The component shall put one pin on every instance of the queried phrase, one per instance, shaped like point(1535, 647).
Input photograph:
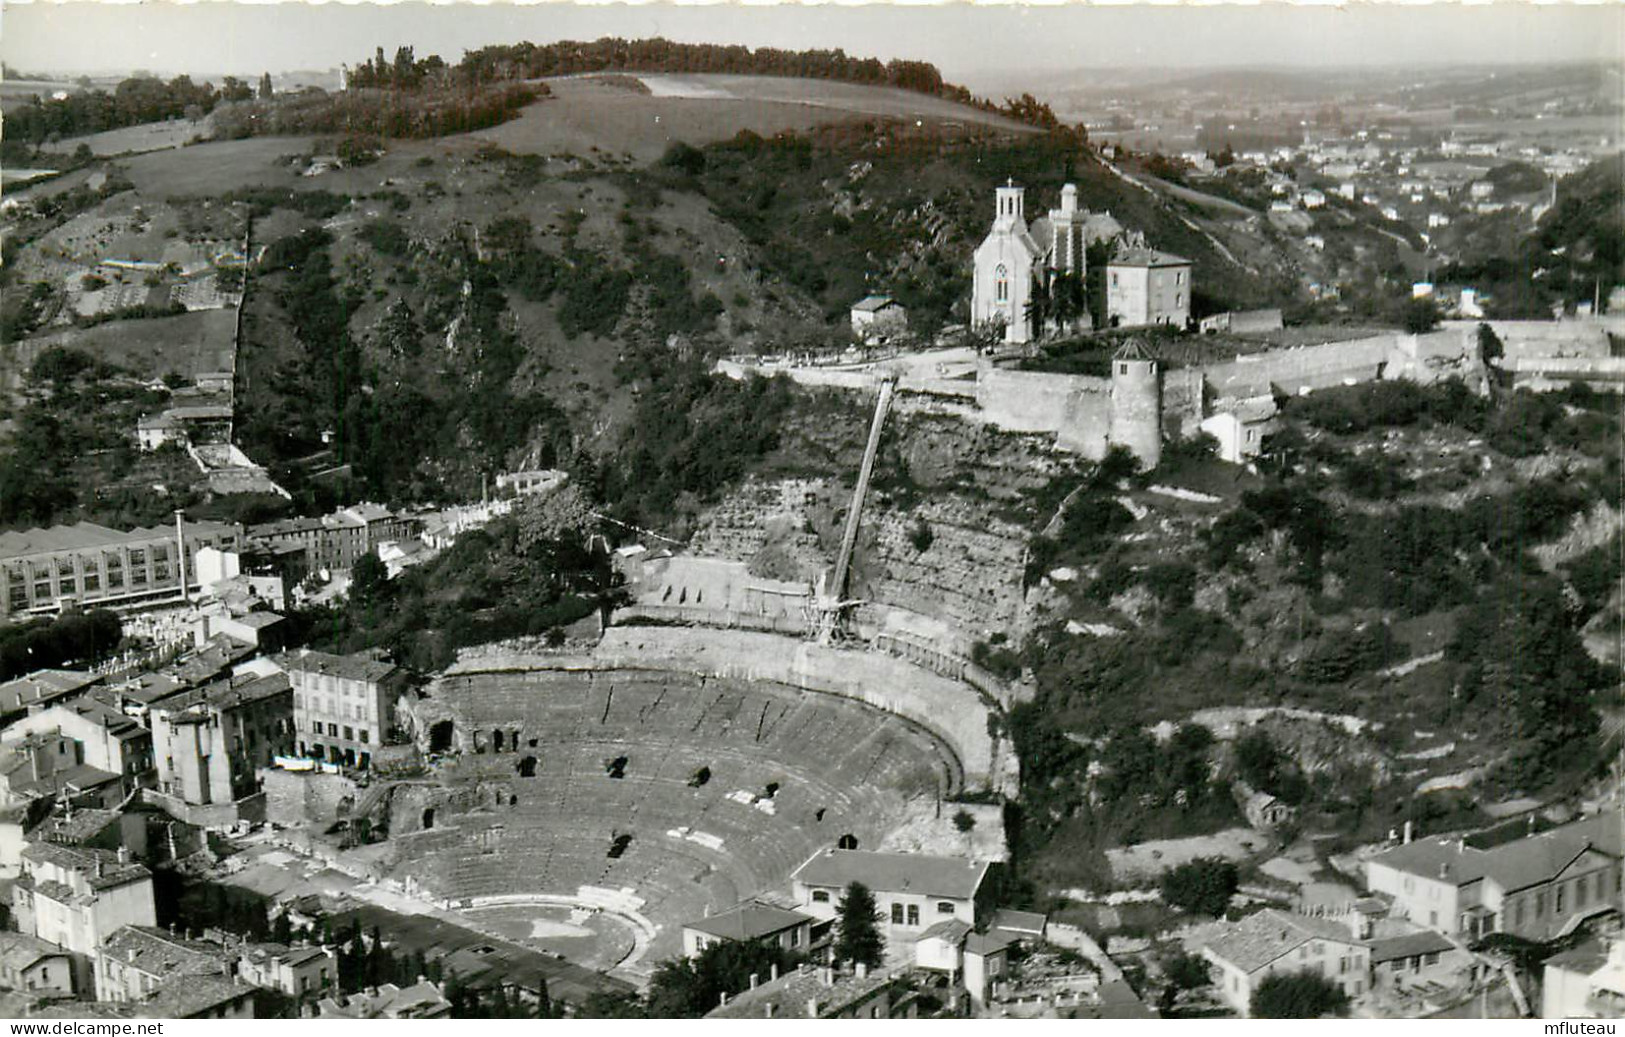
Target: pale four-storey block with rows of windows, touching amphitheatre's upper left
point(344, 705)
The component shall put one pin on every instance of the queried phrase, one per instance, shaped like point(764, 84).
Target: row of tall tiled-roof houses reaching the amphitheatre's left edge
point(193, 739)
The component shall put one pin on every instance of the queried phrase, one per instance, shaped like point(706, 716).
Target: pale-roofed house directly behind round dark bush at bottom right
point(1276, 944)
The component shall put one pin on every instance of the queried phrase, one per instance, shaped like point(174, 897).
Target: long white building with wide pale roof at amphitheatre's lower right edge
point(914, 892)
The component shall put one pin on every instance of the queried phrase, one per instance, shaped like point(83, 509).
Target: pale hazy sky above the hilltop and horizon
point(968, 43)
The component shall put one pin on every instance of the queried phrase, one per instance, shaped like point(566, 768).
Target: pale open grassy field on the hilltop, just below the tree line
point(592, 115)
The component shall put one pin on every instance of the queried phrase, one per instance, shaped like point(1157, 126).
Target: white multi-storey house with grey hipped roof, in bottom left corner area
point(79, 898)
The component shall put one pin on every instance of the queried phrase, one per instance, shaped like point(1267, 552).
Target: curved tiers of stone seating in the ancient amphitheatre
point(841, 770)
